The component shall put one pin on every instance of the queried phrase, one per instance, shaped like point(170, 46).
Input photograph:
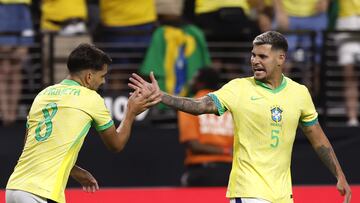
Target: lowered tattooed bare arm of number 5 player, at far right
point(324, 150)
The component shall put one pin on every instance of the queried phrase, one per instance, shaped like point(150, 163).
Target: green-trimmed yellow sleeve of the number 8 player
point(100, 114)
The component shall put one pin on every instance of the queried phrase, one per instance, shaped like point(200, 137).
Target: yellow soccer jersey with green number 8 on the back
point(58, 122)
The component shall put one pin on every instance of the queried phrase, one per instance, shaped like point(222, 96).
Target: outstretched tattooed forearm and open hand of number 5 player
point(190, 105)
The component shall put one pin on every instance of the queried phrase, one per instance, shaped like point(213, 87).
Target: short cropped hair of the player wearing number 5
point(275, 39)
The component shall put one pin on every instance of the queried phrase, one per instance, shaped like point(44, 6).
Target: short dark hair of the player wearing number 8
point(87, 56)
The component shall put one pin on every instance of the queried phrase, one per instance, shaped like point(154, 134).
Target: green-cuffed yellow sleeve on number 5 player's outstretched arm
point(225, 97)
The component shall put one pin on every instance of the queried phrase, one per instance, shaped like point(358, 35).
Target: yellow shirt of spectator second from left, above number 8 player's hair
point(61, 10)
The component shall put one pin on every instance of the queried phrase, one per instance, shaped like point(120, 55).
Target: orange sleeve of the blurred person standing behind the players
point(188, 127)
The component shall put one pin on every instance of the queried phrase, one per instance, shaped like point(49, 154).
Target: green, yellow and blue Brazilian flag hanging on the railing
point(174, 55)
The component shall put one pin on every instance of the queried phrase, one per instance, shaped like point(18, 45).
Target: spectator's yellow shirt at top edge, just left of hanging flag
point(127, 13)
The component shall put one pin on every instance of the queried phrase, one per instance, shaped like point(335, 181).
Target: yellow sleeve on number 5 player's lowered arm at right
point(309, 116)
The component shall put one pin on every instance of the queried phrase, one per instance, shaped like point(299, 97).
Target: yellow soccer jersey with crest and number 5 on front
point(265, 123)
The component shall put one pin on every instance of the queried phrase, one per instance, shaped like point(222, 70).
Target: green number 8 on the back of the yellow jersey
point(49, 112)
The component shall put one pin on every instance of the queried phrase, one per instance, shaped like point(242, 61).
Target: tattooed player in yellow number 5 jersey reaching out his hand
point(266, 110)
